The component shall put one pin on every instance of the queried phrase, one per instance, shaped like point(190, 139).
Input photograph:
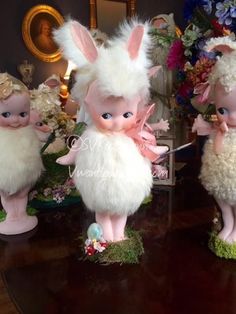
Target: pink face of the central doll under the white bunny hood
point(114, 114)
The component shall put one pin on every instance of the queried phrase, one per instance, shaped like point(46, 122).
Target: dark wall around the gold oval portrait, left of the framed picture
point(13, 49)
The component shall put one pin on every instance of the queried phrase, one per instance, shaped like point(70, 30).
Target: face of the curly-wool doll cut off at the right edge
point(225, 105)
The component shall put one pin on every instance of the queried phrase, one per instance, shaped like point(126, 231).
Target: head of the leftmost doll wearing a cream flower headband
point(14, 102)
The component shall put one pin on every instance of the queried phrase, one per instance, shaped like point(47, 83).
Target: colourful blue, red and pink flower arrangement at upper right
point(205, 19)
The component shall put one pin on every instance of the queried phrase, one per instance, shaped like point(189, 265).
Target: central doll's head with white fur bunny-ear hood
point(119, 70)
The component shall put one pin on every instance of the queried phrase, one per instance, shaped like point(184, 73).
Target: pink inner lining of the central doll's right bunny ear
point(135, 41)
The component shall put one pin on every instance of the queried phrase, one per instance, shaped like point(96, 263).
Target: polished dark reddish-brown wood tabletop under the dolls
point(43, 272)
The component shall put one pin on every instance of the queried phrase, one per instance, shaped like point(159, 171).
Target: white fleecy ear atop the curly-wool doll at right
point(221, 44)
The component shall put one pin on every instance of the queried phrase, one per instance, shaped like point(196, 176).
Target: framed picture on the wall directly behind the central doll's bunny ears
point(106, 14)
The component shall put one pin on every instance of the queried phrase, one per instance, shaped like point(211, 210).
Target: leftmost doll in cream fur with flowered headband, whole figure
point(21, 164)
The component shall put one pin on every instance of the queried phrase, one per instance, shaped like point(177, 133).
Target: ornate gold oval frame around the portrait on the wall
point(26, 31)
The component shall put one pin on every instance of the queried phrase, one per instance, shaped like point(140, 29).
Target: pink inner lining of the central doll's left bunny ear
point(84, 41)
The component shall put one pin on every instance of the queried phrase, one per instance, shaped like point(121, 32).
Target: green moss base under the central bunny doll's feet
point(123, 252)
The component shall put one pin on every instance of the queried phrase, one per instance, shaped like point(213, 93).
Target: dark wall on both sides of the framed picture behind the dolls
point(14, 51)
